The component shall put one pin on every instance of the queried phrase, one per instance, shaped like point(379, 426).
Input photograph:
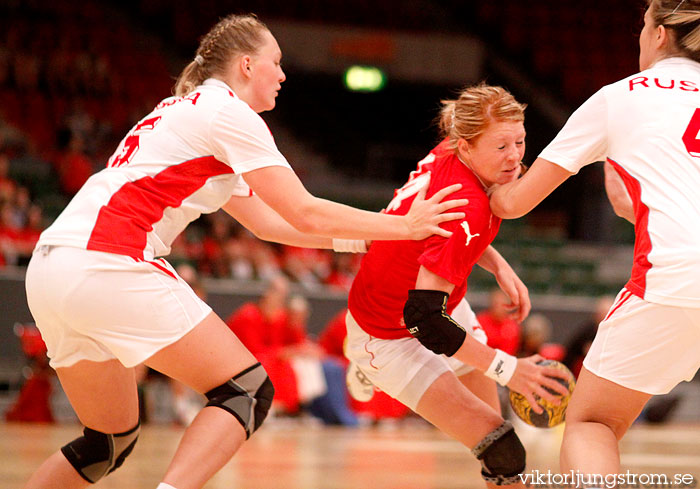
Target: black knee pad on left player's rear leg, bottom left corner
point(96, 454)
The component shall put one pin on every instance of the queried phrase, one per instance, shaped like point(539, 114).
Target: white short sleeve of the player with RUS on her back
point(584, 137)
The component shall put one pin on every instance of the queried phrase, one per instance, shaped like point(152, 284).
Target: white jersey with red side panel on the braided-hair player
point(184, 159)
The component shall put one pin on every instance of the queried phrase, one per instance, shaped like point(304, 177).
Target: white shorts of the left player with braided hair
point(97, 306)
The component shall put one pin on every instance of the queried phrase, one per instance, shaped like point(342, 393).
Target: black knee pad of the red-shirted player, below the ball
point(502, 456)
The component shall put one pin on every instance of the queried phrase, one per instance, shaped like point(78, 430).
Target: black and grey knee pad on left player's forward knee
point(247, 396)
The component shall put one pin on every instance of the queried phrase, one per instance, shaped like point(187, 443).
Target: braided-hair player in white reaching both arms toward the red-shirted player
point(104, 300)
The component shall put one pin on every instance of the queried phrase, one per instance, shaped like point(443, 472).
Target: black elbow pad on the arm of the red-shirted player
point(427, 320)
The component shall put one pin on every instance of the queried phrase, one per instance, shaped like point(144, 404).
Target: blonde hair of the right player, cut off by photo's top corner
point(682, 18)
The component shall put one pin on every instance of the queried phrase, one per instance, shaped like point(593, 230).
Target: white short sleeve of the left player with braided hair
point(240, 137)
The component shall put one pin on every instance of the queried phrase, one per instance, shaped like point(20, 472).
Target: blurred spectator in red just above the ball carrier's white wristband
point(502, 331)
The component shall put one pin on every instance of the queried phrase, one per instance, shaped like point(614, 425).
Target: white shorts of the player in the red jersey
point(403, 368)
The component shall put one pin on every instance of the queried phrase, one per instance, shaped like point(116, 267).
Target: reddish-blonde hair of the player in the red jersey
point(468, 116)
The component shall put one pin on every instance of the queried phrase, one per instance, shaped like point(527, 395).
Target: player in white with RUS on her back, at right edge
point(646, 126)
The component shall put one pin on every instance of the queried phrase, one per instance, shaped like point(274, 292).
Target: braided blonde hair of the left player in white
point(231, 36)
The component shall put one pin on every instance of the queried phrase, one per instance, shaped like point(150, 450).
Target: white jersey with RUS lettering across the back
point(647, 127)
